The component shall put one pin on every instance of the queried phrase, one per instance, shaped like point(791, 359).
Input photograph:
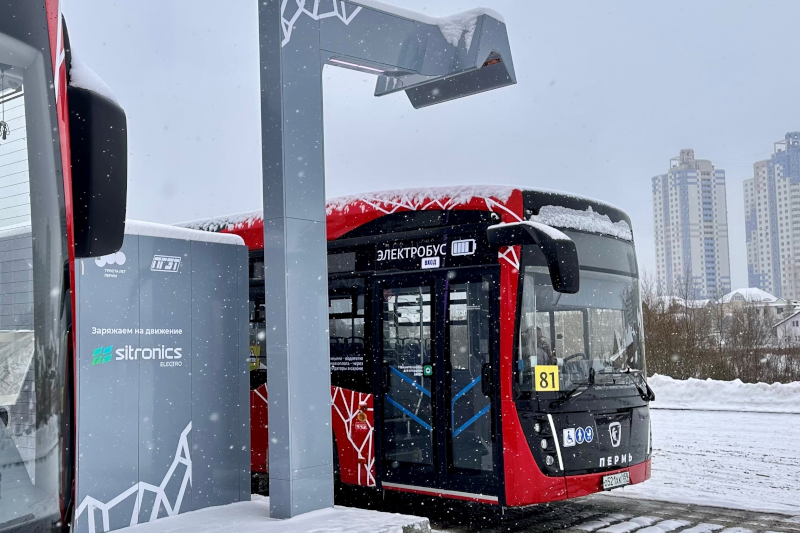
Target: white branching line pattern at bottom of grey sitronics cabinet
point(182, 456)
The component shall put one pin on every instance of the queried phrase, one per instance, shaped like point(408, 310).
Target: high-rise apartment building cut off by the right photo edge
point(772, 220)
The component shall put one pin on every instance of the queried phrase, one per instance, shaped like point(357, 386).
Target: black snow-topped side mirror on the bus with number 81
point(560, 251)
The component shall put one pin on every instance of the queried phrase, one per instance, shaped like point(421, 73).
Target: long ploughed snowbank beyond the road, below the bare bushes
point(713, 395)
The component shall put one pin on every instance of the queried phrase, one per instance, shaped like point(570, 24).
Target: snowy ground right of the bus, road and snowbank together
point(726, 444)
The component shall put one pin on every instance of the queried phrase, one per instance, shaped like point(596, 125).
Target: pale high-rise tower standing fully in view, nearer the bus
point(691, 229)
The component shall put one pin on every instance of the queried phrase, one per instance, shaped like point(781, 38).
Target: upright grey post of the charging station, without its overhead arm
point(296, 275)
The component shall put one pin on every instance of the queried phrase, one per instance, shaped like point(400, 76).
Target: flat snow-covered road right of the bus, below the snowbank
point(728, 459)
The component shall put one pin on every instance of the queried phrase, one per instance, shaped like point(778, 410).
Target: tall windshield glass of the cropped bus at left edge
point(32, 341)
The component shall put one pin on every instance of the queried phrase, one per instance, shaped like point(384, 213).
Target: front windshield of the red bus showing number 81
point(593, 336)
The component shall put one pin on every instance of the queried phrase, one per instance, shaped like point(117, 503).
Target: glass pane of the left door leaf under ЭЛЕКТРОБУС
point(407, 376)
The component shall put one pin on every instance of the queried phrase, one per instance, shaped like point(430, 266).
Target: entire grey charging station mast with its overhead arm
point(433, 63)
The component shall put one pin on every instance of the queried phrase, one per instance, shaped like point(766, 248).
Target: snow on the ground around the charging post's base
point(254, 516)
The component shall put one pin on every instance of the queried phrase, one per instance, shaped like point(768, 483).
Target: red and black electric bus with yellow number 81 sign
point(485, 344)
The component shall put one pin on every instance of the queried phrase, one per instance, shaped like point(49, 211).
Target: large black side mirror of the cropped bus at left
point(99, 153)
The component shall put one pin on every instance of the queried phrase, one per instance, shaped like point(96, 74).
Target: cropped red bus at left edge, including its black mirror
point(63, 180)
